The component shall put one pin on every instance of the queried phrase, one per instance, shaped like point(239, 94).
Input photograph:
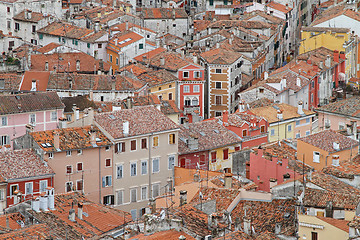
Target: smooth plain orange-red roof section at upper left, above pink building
point(41, 77)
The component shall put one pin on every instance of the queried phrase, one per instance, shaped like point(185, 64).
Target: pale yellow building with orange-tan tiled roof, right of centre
point(285, 122)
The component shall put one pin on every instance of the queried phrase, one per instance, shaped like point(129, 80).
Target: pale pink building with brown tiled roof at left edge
point(40, 109)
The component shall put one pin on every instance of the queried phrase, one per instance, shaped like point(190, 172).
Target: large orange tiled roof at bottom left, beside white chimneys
point(99, 219)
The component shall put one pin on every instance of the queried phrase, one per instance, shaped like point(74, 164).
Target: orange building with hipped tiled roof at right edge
point(325, 148)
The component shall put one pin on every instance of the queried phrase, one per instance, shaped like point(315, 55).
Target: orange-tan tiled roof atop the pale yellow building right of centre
point(270, 112)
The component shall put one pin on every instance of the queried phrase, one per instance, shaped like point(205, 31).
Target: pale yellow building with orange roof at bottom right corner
point(314, 227)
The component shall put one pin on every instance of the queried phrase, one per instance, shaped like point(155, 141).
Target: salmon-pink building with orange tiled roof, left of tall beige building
point(81, 158)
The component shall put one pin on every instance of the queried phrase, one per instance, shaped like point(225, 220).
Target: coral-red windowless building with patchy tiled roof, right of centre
point(274, 164)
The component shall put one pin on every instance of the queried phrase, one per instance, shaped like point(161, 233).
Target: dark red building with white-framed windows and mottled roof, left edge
point(25, 174)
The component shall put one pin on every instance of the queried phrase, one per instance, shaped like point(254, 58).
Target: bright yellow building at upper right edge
point(339, 39)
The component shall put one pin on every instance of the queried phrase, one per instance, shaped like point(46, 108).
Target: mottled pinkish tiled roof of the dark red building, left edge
point(22, 164)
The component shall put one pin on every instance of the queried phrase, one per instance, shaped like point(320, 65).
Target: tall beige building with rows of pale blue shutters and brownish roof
point(145, 152)
